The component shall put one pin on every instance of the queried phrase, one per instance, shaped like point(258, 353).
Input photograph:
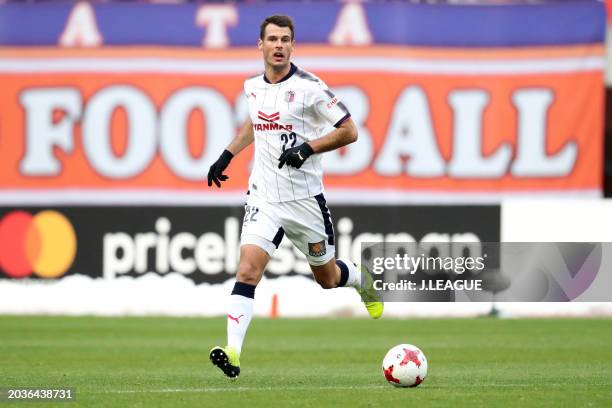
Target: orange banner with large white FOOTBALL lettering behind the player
point(143, 124)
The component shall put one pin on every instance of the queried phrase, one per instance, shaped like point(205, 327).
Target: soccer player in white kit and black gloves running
point(288, 110)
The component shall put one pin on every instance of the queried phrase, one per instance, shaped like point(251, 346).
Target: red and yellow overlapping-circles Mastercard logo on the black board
point(44, 244)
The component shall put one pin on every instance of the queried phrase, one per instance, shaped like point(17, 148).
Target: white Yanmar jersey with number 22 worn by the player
point(286, 114)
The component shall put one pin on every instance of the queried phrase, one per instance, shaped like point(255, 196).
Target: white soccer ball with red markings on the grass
point(405, 365)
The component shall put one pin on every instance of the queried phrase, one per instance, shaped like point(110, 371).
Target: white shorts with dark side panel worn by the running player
point(306, 222)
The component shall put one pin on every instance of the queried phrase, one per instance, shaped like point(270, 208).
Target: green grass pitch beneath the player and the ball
point(163, 362)
